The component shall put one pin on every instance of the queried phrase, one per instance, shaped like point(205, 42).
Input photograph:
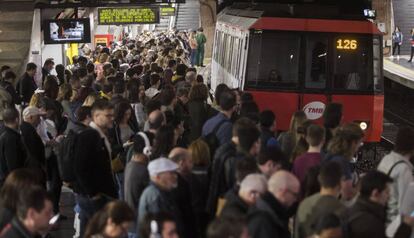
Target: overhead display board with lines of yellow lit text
point(132, 15)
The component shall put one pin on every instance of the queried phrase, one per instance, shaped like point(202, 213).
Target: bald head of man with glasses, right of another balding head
point(285, 187)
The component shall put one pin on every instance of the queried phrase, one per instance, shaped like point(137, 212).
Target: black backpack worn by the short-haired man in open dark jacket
point(66, 155)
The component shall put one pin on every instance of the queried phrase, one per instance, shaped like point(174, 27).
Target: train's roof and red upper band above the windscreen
point(256, 16)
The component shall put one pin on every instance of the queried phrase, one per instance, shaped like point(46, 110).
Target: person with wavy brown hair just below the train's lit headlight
point(342, 148)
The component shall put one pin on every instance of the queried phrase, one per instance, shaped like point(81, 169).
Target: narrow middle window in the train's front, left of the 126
point(316, 61)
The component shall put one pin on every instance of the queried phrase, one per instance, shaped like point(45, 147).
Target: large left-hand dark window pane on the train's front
point(279, 60)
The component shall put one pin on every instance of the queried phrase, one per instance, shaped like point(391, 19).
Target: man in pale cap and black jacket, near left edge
point(32, 141)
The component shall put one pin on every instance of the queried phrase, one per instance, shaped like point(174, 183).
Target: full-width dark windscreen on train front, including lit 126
point(318, 61)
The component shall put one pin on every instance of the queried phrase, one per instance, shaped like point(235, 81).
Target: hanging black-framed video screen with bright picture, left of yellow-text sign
point(62, 31)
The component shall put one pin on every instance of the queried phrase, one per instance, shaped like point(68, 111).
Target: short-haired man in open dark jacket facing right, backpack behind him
point(94, 178)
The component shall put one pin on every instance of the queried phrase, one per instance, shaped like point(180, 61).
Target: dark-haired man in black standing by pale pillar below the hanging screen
point(27, 85)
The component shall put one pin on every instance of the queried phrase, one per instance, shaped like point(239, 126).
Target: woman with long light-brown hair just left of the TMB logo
point(288, 140)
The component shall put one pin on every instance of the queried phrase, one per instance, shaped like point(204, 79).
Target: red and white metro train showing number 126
point(302, 57)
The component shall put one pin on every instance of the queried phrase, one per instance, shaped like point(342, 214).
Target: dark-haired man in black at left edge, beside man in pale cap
point(12, 153)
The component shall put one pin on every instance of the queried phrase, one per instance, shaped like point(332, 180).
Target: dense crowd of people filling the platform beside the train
point(148, 152)
